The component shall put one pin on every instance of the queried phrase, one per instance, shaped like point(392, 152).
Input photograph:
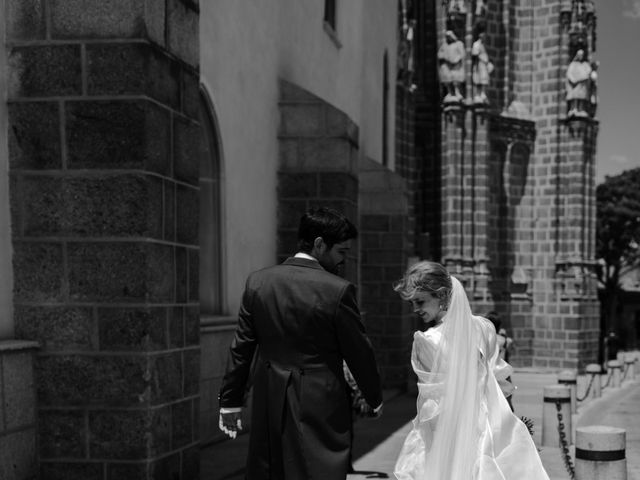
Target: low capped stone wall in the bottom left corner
point(18, 456)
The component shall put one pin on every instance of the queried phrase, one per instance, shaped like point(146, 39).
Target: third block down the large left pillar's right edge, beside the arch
point(187, 150)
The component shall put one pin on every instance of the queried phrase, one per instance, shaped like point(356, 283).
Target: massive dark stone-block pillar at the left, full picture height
point(104, 155)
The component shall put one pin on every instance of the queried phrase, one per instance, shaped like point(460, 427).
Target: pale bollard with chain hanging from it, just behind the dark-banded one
point(556, 412)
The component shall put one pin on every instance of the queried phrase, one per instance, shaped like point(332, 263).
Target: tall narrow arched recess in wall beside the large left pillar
point(211, 266)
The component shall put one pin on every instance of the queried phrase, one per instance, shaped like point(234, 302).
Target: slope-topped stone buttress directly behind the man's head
point(318, 165)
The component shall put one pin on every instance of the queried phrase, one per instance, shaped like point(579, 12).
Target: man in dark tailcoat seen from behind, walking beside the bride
point(301, 320)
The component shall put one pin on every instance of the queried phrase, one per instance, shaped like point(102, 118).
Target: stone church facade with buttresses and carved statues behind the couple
point(156, 152)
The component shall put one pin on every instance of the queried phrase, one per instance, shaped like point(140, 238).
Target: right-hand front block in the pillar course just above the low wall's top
point(132, 329)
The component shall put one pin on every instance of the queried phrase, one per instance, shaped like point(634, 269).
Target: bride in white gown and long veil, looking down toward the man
point(464, 428)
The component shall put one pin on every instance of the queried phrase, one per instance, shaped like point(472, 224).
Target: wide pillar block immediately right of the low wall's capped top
point(85, 380)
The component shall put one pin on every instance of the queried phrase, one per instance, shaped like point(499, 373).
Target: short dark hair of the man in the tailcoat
point(332, 226)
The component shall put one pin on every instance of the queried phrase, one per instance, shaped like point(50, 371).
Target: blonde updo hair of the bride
point(428, 277)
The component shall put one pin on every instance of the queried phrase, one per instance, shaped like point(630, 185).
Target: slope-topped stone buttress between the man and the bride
point(385, 246)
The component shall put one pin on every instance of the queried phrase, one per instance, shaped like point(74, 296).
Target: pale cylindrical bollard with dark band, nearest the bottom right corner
point(600, 453)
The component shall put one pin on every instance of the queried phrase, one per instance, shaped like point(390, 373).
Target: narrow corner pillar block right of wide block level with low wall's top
point(167, 373)
